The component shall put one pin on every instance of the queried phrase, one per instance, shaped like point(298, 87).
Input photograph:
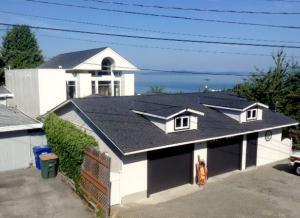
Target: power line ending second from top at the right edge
point(193, 9)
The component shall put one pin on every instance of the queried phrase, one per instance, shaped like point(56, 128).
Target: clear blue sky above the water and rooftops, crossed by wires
point(161, 58)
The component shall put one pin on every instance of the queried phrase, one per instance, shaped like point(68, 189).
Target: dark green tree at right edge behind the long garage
point(279, 88)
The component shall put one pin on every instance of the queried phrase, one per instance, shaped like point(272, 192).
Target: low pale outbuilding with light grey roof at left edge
point(18, 134)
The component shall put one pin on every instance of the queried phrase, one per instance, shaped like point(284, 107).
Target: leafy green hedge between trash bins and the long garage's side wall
point(68, 142)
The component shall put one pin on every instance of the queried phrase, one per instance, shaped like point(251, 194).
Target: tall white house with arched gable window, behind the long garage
point(99, 71)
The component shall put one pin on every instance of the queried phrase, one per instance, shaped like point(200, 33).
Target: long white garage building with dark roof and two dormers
point(154, 140)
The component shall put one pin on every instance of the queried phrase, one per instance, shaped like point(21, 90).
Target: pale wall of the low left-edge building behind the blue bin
point(16, 149)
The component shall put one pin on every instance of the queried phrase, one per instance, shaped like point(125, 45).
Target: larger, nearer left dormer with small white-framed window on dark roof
point(168, 118)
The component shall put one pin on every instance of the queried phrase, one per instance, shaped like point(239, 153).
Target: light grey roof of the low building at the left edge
point(13, 117)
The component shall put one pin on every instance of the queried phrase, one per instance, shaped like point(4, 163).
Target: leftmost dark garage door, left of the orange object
point(169, 168)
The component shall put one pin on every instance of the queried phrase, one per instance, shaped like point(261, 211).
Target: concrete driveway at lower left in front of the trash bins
point(23, 193)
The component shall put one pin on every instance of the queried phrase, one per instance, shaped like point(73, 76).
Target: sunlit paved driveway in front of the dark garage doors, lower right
point(268, 191)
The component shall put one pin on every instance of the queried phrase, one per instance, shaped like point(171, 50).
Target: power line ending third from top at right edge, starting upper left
point(165, 16)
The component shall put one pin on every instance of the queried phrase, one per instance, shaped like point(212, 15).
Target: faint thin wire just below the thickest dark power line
point(161, 48)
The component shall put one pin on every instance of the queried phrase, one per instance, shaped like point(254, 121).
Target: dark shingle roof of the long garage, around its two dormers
point(132, 133)
